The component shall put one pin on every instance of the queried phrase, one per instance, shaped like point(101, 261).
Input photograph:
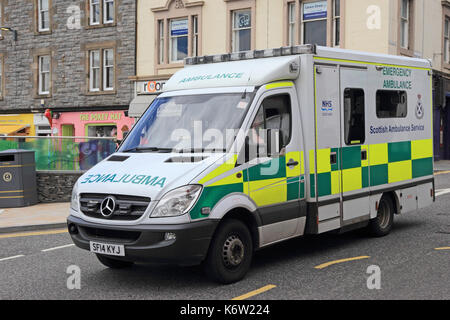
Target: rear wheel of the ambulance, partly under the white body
point(382, 224)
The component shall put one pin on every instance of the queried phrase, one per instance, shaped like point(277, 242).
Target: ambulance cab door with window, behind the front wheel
point(275, 173)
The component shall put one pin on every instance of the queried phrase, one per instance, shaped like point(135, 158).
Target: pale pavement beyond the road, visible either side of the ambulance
point(53, 216)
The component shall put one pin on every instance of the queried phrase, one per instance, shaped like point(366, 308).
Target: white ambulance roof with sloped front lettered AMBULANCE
point(259, 67)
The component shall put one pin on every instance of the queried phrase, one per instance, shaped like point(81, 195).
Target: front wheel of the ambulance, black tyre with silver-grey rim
point(230, 253)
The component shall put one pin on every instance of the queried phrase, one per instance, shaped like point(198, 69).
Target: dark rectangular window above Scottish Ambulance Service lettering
point(392, 104)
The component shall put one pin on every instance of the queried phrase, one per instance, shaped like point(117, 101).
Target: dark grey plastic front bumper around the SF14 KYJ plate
point(146, 243)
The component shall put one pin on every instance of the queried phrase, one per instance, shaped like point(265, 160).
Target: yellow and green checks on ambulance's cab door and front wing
point(266, 183)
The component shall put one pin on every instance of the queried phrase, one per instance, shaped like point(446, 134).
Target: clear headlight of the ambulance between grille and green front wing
point(177, 202)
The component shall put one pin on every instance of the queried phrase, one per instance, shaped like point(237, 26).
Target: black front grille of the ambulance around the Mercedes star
point(127, 208)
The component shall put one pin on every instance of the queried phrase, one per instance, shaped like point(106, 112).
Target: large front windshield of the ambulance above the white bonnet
point(190, 123)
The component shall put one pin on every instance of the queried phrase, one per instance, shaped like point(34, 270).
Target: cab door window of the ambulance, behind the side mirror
point(274, 115)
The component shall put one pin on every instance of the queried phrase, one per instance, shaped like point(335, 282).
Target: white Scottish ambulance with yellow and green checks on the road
point(244, 150)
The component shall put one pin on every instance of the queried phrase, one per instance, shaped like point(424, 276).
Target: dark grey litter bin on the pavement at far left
point(17, 179)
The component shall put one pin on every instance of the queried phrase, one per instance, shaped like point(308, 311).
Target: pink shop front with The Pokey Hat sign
point(92, 124)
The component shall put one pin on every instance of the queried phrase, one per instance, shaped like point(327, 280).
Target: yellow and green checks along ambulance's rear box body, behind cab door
point(385, 163)
